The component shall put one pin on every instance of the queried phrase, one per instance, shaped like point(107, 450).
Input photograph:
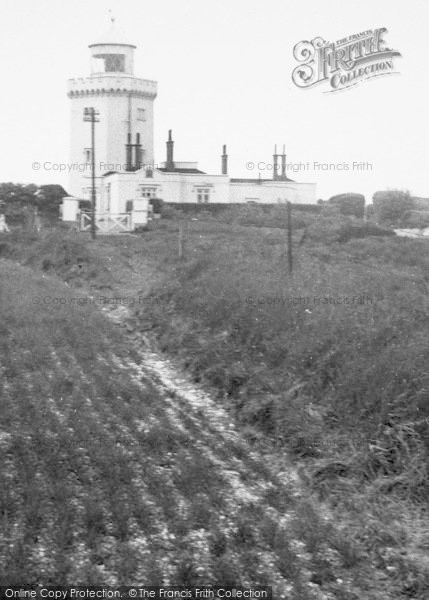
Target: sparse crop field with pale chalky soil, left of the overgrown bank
point(106, 480)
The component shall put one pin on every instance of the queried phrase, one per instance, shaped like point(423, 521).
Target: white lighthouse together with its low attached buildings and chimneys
point(125, 173)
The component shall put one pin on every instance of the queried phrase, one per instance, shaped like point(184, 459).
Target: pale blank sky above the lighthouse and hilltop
point(224, 73)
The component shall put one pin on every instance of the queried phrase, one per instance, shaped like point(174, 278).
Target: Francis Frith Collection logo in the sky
point(344, 63)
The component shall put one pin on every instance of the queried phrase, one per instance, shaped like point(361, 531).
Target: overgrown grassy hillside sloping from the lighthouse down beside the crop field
point(330, 364)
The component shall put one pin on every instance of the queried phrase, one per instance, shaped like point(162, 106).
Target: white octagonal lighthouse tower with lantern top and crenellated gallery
point(124, 103)
